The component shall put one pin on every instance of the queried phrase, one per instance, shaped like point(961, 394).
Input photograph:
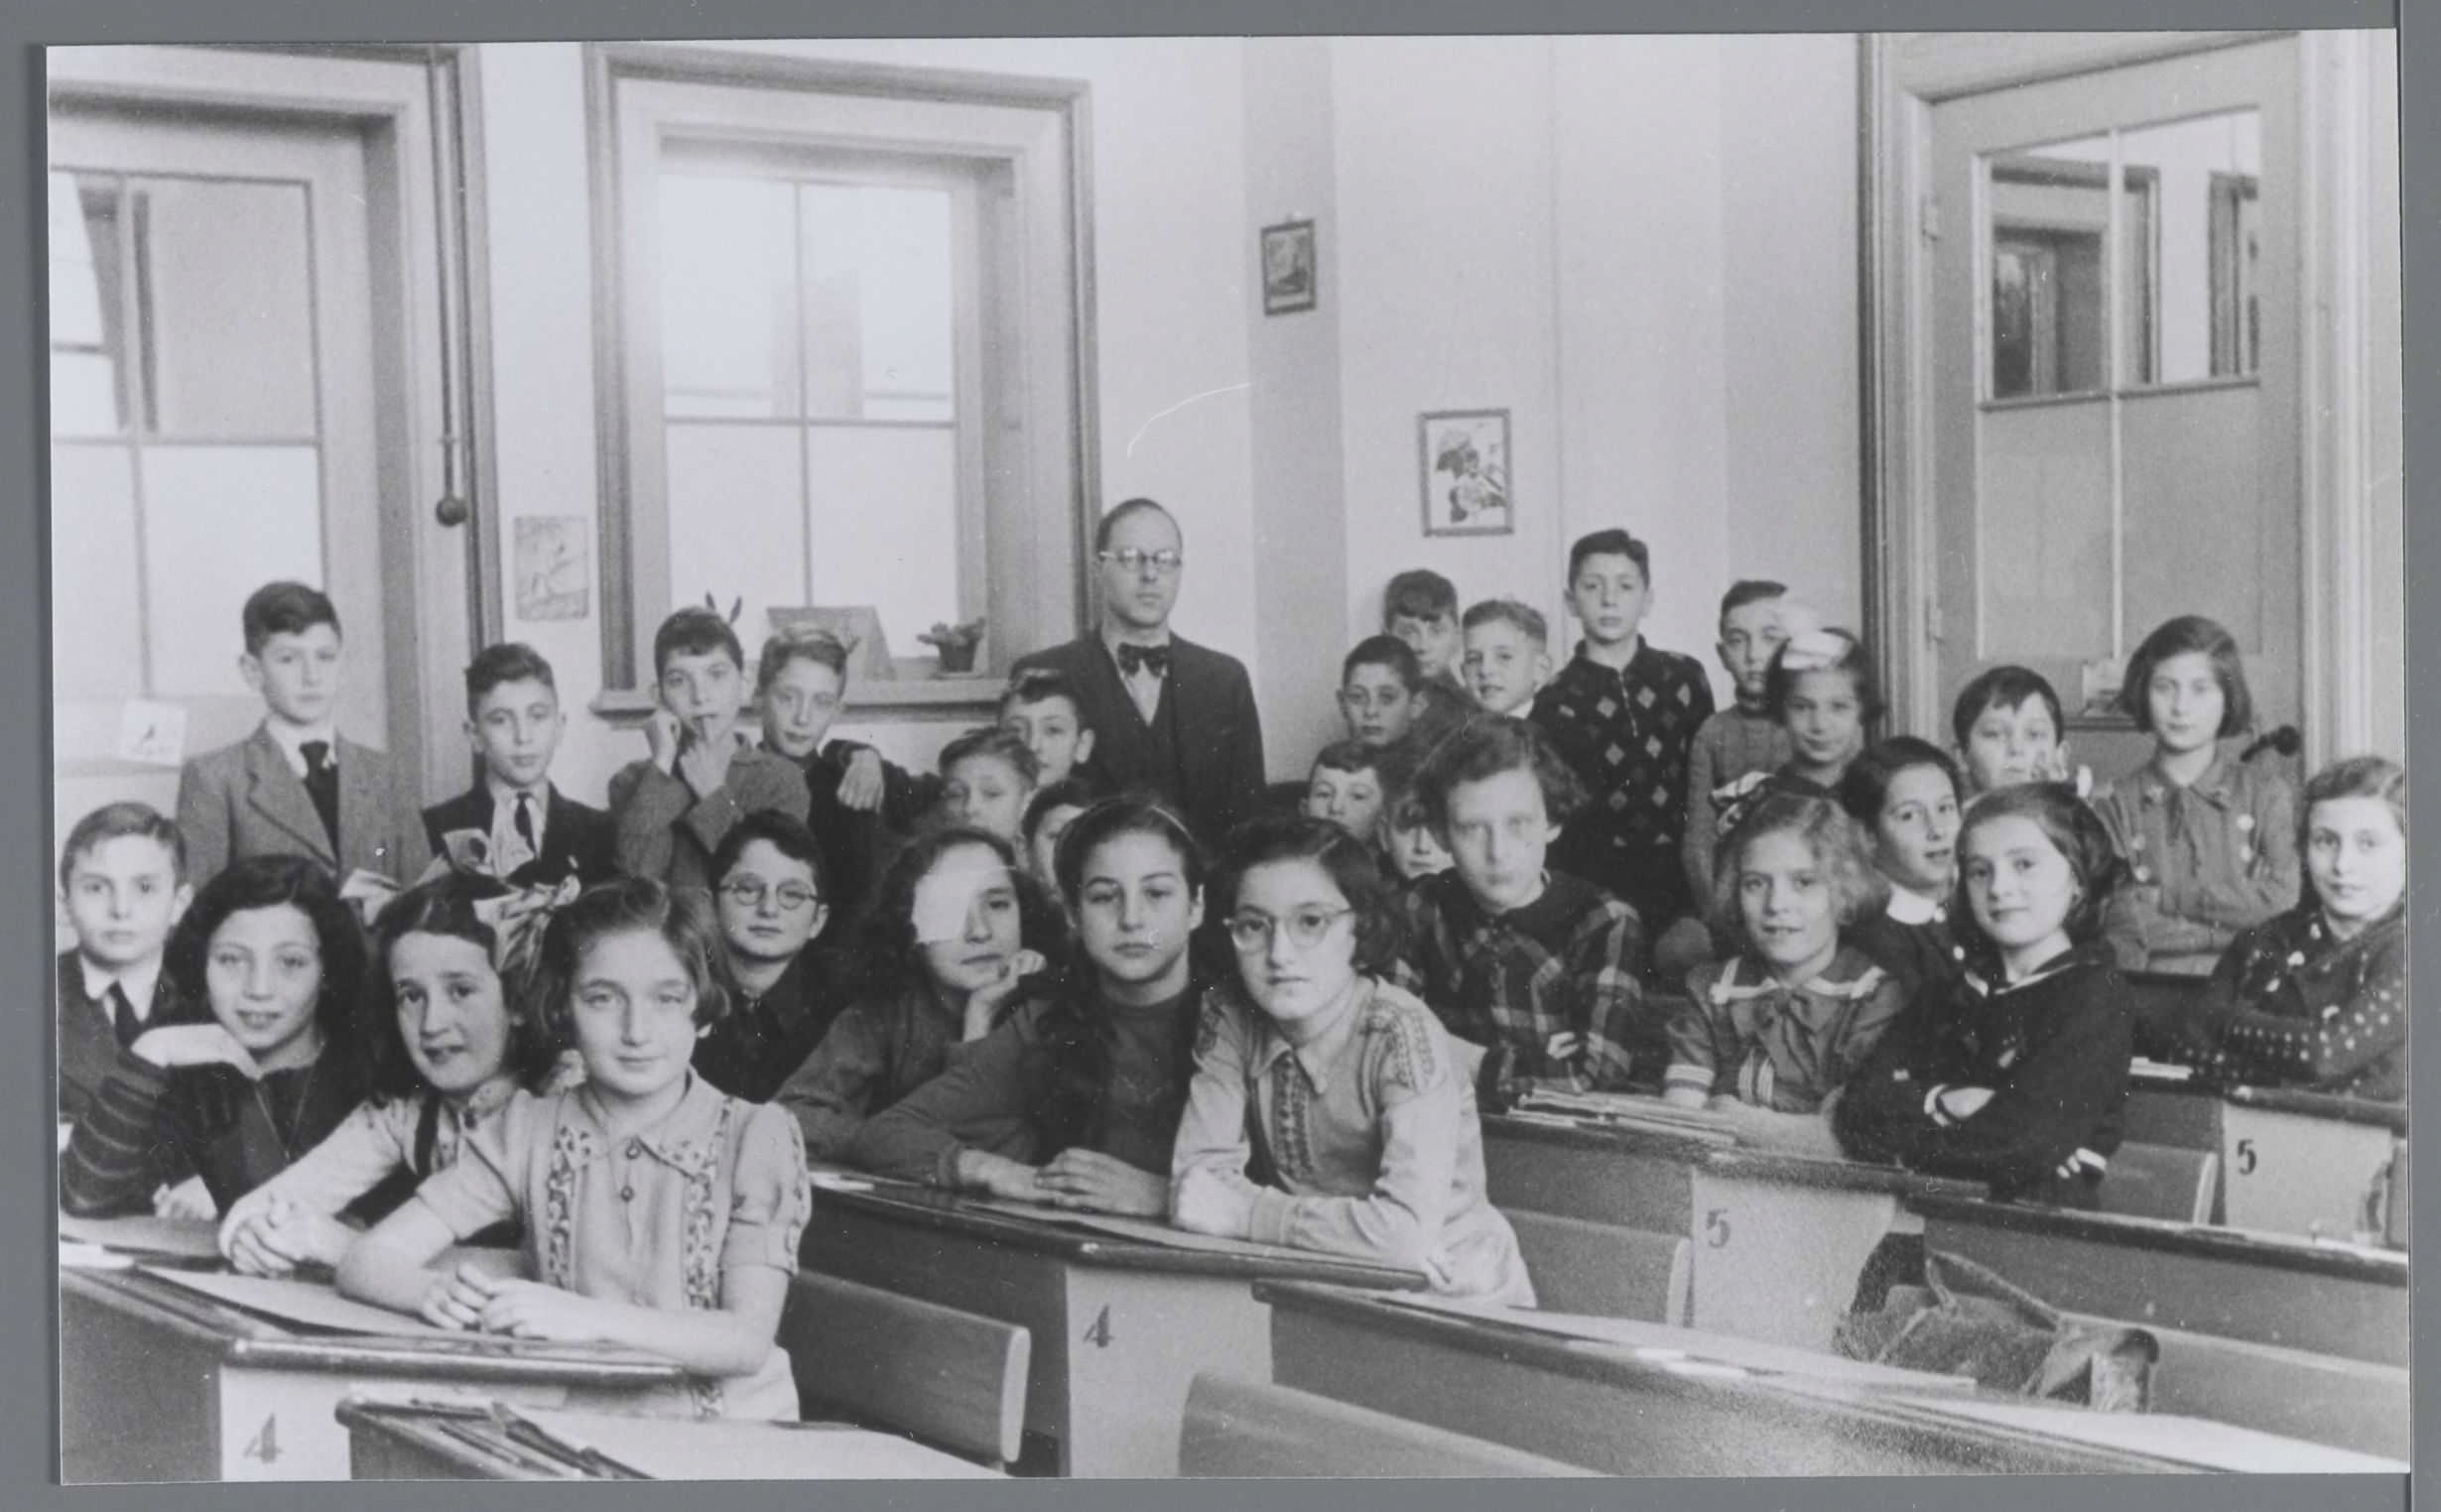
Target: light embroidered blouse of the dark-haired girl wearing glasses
point(1366, 1135)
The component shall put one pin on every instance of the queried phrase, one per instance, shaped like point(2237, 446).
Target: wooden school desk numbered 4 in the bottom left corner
point(165, 1384)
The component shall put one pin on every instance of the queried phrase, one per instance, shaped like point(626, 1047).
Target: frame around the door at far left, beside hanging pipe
point(402, 99)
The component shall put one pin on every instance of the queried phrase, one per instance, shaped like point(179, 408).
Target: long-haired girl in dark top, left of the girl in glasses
point(1075, 1101)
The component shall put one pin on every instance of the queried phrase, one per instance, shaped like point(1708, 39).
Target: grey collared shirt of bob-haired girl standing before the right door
point(2205, 860)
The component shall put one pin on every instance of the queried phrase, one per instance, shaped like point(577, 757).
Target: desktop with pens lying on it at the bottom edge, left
point(470, 1442)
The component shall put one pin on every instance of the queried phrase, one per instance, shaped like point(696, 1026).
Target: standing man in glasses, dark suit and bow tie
point(1168, 716)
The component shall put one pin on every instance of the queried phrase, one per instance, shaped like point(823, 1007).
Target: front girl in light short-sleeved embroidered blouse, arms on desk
point(658, 1213)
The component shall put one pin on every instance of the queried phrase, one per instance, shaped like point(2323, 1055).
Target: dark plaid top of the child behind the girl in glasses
point(1566, 962)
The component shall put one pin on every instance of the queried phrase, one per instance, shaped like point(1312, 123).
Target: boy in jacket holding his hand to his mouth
point(677, 806)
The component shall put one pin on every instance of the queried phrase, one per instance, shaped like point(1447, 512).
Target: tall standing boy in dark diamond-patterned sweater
point(1624, 718)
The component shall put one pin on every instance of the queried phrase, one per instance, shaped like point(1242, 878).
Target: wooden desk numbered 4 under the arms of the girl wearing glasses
point(1119, 1323)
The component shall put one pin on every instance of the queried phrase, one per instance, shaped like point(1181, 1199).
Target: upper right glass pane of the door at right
point(2205, 194)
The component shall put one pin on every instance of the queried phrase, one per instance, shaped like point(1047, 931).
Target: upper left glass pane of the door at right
point(2049, 216)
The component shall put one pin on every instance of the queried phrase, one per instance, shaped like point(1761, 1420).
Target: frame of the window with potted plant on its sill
point(1041, 472)
